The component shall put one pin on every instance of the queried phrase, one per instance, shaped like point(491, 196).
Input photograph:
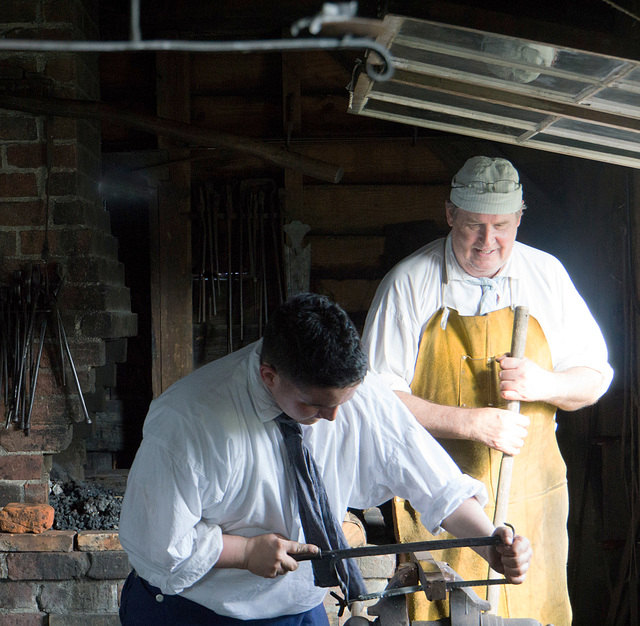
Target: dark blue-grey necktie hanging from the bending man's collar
point(318, 521)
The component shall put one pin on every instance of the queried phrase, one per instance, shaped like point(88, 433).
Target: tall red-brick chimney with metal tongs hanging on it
point(56, 198)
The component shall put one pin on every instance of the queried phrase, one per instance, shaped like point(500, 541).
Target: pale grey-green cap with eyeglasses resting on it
point(487, 185)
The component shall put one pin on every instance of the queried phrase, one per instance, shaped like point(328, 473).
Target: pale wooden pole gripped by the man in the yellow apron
point(518, 342)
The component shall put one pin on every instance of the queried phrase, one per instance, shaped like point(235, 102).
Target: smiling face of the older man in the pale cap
point(482, 243)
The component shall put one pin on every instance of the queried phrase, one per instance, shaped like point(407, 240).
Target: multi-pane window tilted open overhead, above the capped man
point(508, 90)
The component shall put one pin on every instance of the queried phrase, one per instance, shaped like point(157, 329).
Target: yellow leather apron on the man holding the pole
point(456, 366)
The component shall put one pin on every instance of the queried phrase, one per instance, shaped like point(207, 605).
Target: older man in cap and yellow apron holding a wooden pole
point(438, 331)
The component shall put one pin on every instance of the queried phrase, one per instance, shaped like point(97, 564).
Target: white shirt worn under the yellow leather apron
point(431, 279)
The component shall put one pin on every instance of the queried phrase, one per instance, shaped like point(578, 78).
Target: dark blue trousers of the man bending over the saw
point(139, 607)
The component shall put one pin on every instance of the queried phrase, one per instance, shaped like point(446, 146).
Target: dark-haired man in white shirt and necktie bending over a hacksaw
point(210, 516)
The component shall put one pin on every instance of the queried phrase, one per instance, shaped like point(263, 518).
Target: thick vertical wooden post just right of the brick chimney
point(170, 228)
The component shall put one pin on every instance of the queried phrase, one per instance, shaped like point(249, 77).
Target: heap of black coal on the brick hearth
point(84, 506)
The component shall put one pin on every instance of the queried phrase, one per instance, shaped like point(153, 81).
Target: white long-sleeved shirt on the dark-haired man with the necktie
point(212, 462)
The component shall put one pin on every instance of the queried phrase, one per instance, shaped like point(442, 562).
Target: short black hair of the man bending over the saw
point(312, 342)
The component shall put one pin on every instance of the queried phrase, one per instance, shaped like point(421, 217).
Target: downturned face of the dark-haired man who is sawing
point(305, 405)
